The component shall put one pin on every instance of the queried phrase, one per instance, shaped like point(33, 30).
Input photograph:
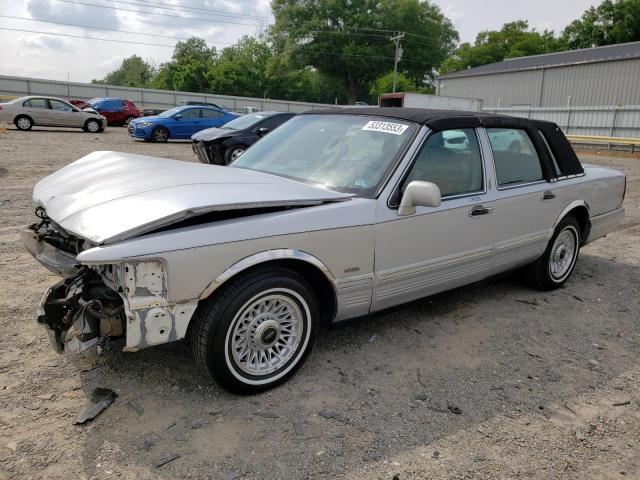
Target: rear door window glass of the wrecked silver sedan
point(515, 157)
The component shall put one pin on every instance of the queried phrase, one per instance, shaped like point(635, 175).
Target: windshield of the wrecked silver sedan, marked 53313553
point(348, 153)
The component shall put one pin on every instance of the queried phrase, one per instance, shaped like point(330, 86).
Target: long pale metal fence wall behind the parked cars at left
point(19, 86)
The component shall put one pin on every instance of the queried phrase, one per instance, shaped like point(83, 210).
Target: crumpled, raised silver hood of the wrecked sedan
point(109, 196)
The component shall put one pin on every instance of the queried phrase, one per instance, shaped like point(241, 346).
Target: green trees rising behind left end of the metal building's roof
point(514, 39)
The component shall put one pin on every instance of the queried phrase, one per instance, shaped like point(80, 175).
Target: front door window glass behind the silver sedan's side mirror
point(451, 159)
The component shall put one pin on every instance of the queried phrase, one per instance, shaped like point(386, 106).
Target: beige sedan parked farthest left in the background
point(27, 112)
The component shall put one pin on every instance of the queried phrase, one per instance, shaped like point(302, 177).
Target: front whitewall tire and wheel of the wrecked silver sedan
point(213, 332)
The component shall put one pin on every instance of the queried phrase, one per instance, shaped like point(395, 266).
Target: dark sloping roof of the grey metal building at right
point(622, 51)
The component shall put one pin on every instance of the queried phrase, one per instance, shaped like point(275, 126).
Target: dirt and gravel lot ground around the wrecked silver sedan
point(548, 384)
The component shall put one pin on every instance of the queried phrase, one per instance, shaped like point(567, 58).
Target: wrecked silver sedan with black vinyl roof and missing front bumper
point(334, 215)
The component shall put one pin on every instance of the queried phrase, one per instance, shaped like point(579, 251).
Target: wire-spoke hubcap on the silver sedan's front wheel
point(266, 334)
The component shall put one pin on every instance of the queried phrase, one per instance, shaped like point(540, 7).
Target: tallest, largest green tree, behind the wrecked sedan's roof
point(349, 41)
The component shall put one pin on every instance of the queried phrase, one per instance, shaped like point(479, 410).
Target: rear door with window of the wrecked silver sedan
point(526, 205)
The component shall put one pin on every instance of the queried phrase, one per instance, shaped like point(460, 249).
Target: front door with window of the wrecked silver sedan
point(437, 248)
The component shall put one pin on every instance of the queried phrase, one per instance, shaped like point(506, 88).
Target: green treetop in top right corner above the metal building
point(608, 23)
